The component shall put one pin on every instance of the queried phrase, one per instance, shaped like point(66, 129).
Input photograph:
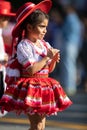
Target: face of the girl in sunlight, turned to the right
point(39, 31)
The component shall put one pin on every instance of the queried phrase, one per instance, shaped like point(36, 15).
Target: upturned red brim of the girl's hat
point(44, 6)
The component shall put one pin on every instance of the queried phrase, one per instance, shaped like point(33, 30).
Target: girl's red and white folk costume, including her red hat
point(37, 93)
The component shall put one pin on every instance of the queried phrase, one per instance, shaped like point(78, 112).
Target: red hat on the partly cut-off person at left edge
point(5, 8)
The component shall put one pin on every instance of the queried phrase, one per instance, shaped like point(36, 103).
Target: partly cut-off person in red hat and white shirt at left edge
point(5, 14)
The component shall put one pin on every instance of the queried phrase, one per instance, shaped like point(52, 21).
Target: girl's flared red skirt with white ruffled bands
point(35, 95)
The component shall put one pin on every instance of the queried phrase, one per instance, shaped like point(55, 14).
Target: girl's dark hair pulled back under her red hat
point(34, 19)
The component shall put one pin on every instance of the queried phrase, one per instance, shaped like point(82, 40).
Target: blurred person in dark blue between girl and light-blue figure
point(54, 33)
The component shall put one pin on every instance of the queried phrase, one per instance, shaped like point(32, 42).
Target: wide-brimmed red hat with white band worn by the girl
point(25, 10)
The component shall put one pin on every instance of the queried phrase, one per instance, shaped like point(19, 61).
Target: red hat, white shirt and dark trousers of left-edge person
point(5, 11)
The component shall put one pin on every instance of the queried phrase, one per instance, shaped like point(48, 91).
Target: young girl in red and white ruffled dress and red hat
point(29, 89)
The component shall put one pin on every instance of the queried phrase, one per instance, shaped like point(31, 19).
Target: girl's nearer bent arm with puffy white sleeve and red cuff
point(25, 57)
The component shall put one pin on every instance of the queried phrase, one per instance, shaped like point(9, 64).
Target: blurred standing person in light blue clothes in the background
point(72, 43)
